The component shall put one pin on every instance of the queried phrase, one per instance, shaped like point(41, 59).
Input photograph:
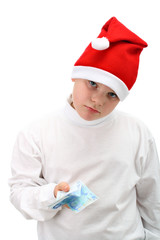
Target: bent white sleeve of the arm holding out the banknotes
point(30, 192)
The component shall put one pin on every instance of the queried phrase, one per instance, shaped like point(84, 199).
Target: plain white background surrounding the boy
point(39, 43)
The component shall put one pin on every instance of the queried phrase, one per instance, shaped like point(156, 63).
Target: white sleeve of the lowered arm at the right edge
point(148, 192)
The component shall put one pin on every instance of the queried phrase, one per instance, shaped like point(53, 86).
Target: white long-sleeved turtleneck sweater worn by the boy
point(114, 156)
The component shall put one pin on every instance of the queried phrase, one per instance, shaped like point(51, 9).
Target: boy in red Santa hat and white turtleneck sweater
point(113, 153)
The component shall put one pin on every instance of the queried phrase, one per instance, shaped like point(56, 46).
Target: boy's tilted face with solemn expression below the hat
point(93, 100)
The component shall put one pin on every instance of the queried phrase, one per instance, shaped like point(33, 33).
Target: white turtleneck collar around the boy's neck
point(73, 116)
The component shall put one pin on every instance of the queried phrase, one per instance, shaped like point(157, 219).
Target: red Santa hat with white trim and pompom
point(112, 59)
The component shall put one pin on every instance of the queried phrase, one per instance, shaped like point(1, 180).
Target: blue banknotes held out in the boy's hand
point(78, 198)
